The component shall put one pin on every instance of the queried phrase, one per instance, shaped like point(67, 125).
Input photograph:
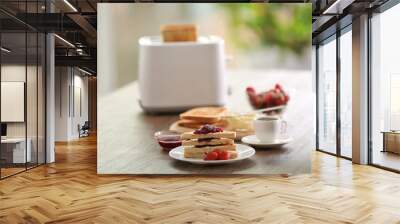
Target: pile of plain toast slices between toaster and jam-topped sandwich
point(197, 117)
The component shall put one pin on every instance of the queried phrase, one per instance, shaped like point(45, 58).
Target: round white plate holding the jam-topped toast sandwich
point(244, 152)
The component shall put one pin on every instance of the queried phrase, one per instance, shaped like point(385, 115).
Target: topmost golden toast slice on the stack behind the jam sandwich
point(205, 115)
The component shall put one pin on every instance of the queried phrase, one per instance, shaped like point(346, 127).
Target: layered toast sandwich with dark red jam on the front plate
point(208, 139)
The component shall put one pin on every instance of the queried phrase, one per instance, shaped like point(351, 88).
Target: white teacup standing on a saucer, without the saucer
point(269, 129)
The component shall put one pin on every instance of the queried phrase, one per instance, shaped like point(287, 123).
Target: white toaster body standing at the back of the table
point(176, 76)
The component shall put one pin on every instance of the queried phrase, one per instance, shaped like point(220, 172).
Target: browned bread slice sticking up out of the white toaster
point(179, 32)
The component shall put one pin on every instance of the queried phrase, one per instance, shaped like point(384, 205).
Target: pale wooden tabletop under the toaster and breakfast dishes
point(125, 134)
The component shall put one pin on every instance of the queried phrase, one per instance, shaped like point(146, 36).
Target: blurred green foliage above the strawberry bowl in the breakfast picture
point(281, 25)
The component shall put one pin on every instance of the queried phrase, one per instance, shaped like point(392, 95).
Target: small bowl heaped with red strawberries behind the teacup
point(273, 98)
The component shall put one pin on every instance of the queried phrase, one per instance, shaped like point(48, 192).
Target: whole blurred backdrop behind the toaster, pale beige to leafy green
point(258, 36)
